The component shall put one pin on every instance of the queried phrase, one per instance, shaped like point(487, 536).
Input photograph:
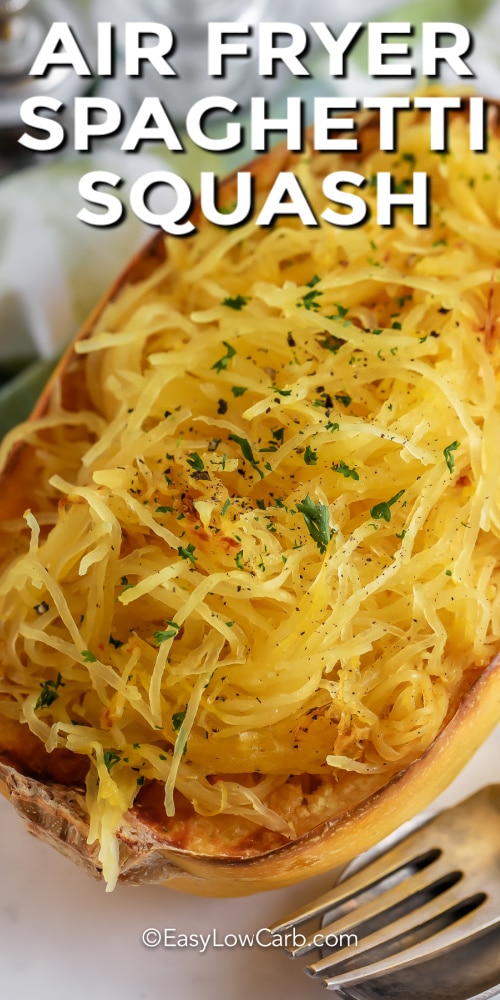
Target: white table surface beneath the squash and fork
point(63, 938)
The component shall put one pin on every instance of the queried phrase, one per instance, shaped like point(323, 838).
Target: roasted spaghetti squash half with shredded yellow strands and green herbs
point(251, 538)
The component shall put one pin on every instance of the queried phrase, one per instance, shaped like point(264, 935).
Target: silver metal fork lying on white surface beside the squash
point(430, 896)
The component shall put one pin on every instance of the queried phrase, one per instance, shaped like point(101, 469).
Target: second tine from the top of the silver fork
point(417, 882)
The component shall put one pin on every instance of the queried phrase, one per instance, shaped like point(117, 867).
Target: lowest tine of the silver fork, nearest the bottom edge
point(464, 930)
